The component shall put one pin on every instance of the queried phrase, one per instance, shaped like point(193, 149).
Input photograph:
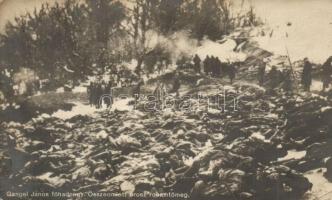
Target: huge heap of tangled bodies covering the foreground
point(207, 154)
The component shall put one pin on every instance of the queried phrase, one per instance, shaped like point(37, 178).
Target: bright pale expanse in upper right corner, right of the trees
point(303, 27)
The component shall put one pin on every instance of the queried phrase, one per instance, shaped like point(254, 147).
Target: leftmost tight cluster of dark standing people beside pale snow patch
point(100, 92)
